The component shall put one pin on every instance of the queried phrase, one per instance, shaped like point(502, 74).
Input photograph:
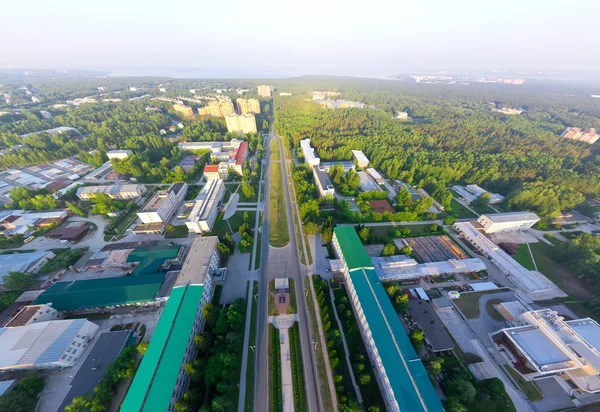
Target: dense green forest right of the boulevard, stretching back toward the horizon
point(458, 140)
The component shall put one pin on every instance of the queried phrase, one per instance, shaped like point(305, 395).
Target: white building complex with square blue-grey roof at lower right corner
point(545, 344)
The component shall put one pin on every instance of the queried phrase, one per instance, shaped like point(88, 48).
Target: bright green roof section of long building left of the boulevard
point(153, 384)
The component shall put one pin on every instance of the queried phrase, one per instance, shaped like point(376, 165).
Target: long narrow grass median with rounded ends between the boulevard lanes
point(278, 231)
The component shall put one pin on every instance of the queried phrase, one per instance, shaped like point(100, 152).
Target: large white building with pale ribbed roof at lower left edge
point(45, 345)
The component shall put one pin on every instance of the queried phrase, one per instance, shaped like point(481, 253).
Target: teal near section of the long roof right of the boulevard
point(405, 371)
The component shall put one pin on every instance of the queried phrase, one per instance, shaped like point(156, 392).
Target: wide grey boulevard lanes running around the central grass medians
point(278, 262)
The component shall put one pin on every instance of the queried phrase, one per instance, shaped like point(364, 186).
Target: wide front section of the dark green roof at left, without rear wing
point(92, 293)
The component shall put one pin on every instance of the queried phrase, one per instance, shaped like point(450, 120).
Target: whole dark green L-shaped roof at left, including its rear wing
point(142, 285)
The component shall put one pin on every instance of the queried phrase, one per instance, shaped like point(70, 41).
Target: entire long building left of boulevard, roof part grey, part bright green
point(161, 379)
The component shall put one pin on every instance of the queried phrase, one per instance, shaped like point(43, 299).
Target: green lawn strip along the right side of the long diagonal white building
point(558, 274)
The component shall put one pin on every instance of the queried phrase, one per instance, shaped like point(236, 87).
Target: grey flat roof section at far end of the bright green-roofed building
point(197, 261)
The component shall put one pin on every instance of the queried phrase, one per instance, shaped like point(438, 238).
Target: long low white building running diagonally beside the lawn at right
point(535, 284)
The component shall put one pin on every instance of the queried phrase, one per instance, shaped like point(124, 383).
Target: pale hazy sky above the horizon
point(279, 37)
